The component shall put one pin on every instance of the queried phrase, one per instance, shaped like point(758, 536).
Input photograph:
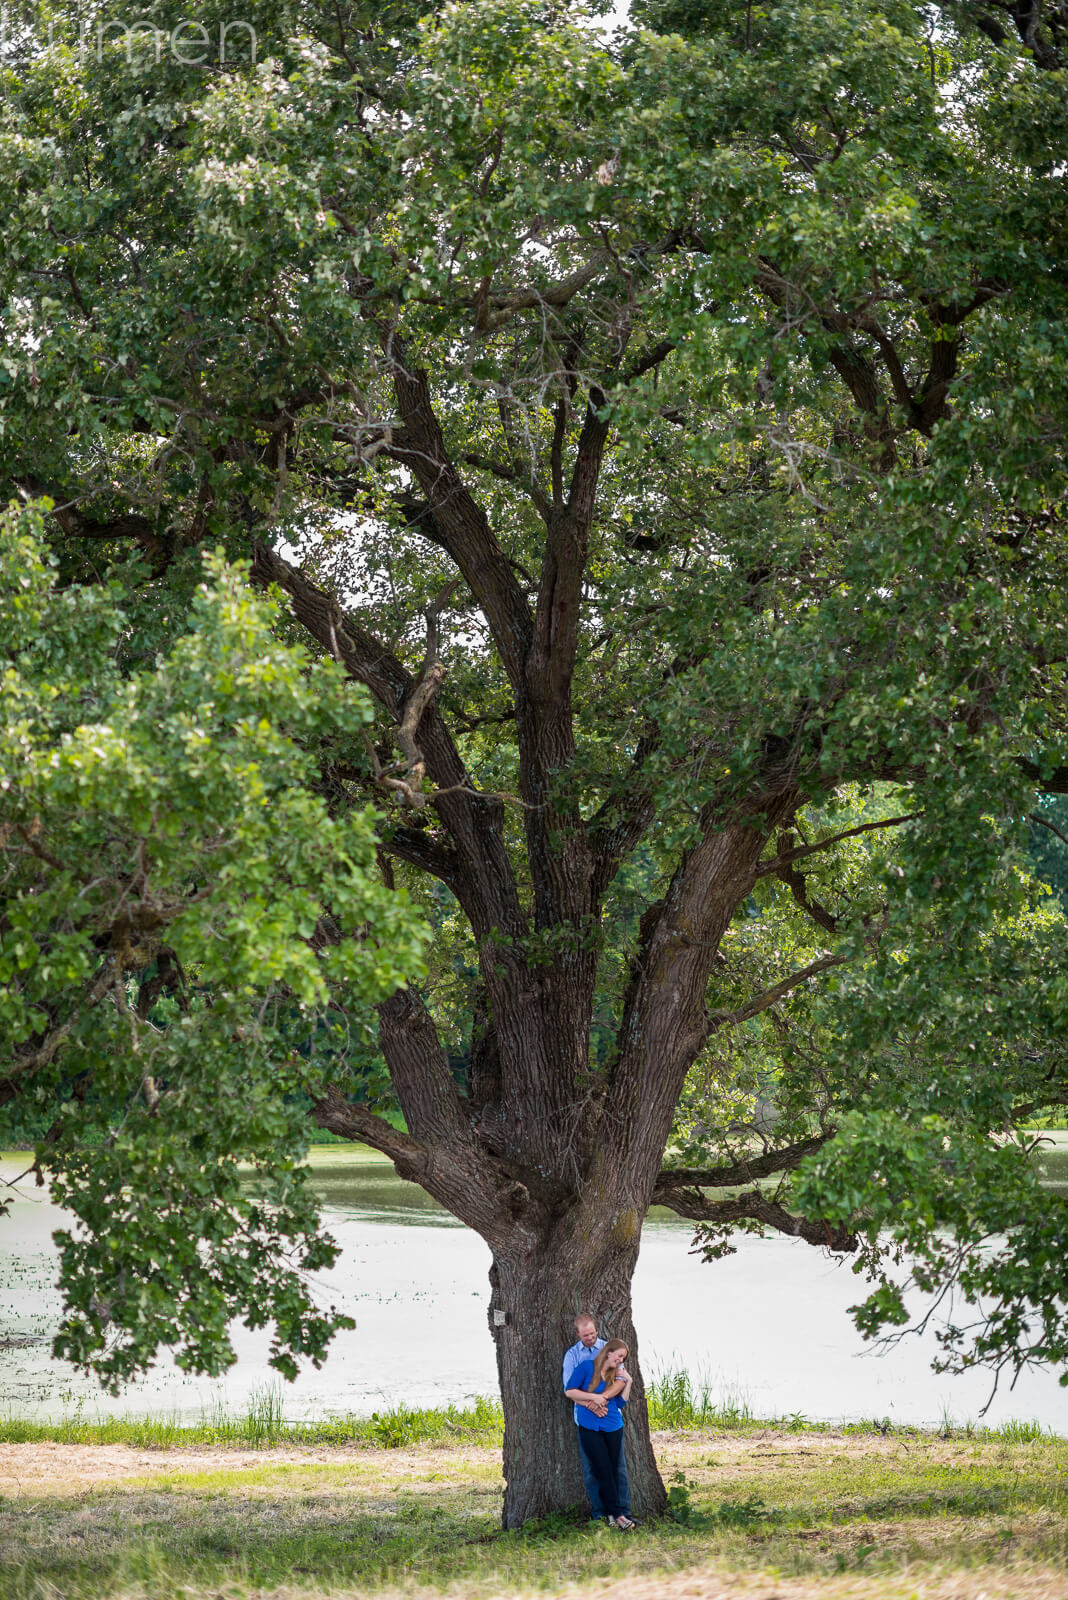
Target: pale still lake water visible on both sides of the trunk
point(767, 1327)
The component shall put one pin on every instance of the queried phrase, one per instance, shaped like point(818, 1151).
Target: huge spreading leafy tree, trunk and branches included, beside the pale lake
point(667, 430)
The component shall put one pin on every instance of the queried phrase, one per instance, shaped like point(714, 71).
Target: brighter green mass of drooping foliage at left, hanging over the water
point(180, 910)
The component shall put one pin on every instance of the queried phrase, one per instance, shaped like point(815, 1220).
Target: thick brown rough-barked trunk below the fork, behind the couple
point(536, 1297)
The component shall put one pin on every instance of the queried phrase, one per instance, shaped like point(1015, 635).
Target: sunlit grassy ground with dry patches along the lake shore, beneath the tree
point(763, 1513)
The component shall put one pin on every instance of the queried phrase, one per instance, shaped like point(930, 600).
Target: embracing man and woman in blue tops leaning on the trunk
point(599, 1383)
